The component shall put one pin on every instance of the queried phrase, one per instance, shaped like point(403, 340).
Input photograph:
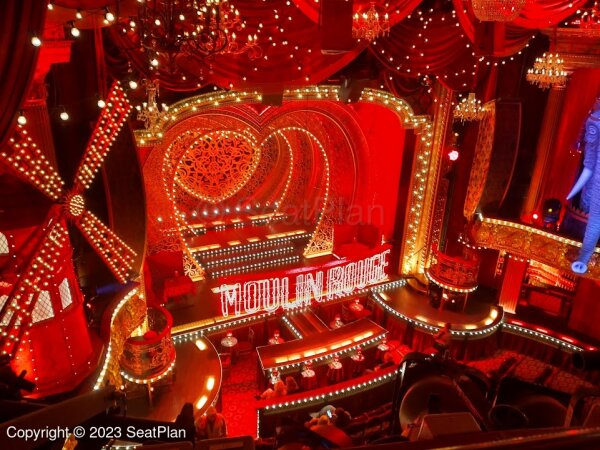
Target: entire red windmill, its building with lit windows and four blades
point(39, 304)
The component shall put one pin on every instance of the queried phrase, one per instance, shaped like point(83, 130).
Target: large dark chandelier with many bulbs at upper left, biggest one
point(194, 27)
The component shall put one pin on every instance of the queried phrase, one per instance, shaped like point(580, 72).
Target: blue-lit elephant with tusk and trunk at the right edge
point(590, 180)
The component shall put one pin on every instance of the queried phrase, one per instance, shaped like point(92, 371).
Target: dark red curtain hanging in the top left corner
point(19, 20)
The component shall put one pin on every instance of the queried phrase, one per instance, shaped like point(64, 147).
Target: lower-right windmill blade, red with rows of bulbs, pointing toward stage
point(113, 251)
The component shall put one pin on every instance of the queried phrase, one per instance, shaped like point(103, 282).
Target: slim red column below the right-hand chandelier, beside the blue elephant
point(547, 136)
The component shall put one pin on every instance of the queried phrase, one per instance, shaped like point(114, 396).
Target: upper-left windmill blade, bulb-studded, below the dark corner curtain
point(28, 162)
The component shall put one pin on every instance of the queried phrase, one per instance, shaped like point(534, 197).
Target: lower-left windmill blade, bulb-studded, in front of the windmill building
point(15, 313)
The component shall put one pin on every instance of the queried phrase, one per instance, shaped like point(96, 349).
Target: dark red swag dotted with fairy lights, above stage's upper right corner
point(435, 44)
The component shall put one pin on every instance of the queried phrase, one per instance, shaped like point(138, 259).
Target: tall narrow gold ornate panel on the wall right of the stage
point(481, 161)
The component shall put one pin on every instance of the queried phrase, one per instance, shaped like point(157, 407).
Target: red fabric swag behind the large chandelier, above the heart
point(299, 37)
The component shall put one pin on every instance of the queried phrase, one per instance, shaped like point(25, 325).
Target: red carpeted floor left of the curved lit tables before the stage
point(238, 401)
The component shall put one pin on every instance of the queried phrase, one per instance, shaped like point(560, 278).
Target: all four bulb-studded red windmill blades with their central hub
point(27, 161)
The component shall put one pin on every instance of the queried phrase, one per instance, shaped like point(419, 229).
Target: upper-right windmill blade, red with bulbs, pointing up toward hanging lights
point(109, 124)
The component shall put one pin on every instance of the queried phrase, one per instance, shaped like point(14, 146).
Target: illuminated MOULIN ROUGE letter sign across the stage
point(299, 287)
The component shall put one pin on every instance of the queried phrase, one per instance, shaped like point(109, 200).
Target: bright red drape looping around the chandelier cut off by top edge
point(509, 38)
